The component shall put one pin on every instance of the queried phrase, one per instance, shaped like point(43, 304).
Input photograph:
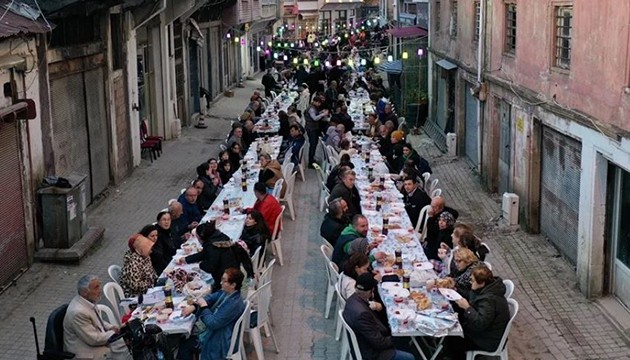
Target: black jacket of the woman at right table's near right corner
point(487, 317)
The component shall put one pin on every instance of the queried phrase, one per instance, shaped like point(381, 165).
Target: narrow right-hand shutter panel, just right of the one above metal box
point(97, 130)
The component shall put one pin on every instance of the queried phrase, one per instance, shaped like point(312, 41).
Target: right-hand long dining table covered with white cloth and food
point(412, 310)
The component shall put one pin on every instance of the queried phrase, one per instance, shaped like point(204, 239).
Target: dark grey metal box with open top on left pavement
point(63, 213)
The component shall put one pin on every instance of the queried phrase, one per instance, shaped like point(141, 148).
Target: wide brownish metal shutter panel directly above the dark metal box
point(70, 127)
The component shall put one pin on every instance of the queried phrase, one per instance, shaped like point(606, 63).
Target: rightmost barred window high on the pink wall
point(561, 61)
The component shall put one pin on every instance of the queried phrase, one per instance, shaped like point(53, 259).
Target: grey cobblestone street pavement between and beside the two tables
point(554, 322)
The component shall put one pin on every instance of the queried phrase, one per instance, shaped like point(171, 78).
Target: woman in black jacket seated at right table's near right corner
point(484, 314)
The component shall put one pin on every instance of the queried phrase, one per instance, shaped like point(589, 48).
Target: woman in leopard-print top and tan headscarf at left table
point(137, 274)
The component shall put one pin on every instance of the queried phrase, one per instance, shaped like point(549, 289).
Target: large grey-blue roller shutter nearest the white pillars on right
point(560, 191)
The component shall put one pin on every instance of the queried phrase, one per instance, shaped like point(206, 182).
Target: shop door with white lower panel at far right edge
point(619, 231)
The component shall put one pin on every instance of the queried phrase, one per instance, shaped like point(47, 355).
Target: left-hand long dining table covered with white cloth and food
point(231, 224)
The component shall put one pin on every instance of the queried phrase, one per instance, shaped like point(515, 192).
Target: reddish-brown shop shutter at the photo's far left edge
point(13, 255)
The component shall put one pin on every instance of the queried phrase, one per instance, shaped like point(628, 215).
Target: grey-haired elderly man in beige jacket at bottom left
point(85, 333)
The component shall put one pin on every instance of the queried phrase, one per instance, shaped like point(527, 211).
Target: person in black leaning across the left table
point(218, 253)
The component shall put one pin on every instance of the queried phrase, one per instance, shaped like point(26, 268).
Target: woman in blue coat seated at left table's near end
point(219, 312)
